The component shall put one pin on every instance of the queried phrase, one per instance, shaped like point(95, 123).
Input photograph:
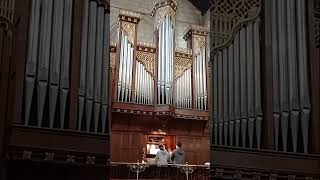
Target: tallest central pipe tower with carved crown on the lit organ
point(164, 26)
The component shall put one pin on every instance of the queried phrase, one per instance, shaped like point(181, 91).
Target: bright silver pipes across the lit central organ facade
point(138, 83)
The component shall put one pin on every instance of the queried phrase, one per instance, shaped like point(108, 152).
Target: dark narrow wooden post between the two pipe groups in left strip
point(76, 36)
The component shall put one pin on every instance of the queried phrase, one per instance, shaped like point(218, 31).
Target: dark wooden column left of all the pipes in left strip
point(18, 59)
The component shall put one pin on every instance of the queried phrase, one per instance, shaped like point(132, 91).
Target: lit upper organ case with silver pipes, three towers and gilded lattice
point(159, 75)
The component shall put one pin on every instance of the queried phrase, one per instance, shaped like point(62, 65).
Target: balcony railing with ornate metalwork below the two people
point(152, 171)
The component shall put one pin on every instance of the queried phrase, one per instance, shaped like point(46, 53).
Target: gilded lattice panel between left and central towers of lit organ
point(148, 60)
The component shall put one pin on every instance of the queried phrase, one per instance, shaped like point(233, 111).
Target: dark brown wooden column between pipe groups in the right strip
point(266, 76)
